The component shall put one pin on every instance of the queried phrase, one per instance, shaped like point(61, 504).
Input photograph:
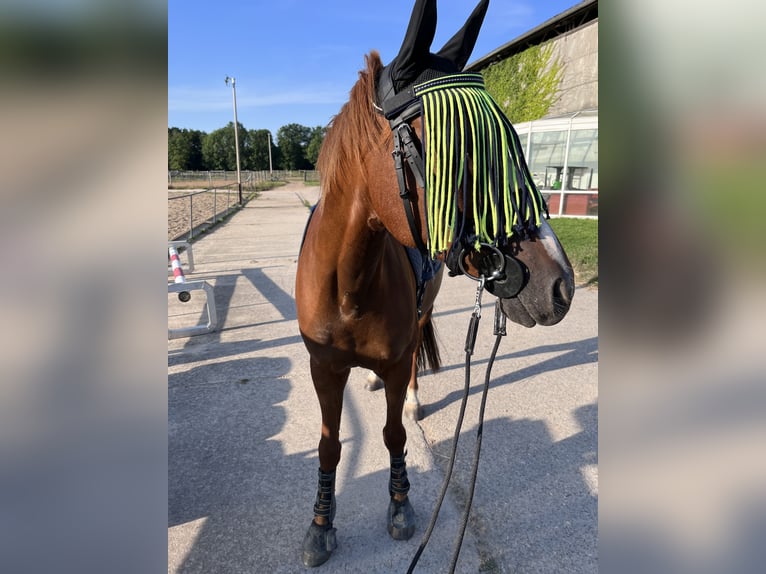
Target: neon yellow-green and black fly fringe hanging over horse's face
point(464, 127)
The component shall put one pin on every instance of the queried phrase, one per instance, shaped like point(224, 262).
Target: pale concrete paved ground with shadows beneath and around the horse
point(244, 425)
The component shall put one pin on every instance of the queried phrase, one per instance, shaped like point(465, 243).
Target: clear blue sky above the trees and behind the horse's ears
point(295, 60)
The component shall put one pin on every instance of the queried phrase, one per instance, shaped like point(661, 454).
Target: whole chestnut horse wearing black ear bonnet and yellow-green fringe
point(361, 301)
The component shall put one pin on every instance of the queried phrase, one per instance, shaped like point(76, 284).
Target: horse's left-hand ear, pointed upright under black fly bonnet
point(416, 47)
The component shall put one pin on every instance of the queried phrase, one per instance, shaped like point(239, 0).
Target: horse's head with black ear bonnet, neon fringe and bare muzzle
point(469, 198)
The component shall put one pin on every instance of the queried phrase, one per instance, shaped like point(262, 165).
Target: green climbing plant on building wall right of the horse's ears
point(526, 84)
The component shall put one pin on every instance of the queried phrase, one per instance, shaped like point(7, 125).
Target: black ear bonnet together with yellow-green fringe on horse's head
point(467, 146)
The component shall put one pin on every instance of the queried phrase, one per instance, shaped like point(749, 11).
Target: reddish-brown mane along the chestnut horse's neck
point(353, 132)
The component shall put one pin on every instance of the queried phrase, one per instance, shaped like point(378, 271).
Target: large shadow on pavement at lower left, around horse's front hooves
point(241, 504)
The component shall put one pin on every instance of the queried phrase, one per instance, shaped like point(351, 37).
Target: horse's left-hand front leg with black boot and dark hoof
point(319, 541)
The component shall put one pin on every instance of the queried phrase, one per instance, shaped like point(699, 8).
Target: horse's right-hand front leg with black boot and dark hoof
point(401, 515)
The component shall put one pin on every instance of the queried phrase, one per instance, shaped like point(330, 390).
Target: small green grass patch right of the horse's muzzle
point(579, 238)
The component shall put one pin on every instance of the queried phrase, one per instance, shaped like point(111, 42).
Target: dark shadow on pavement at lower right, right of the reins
point(533, 506)
